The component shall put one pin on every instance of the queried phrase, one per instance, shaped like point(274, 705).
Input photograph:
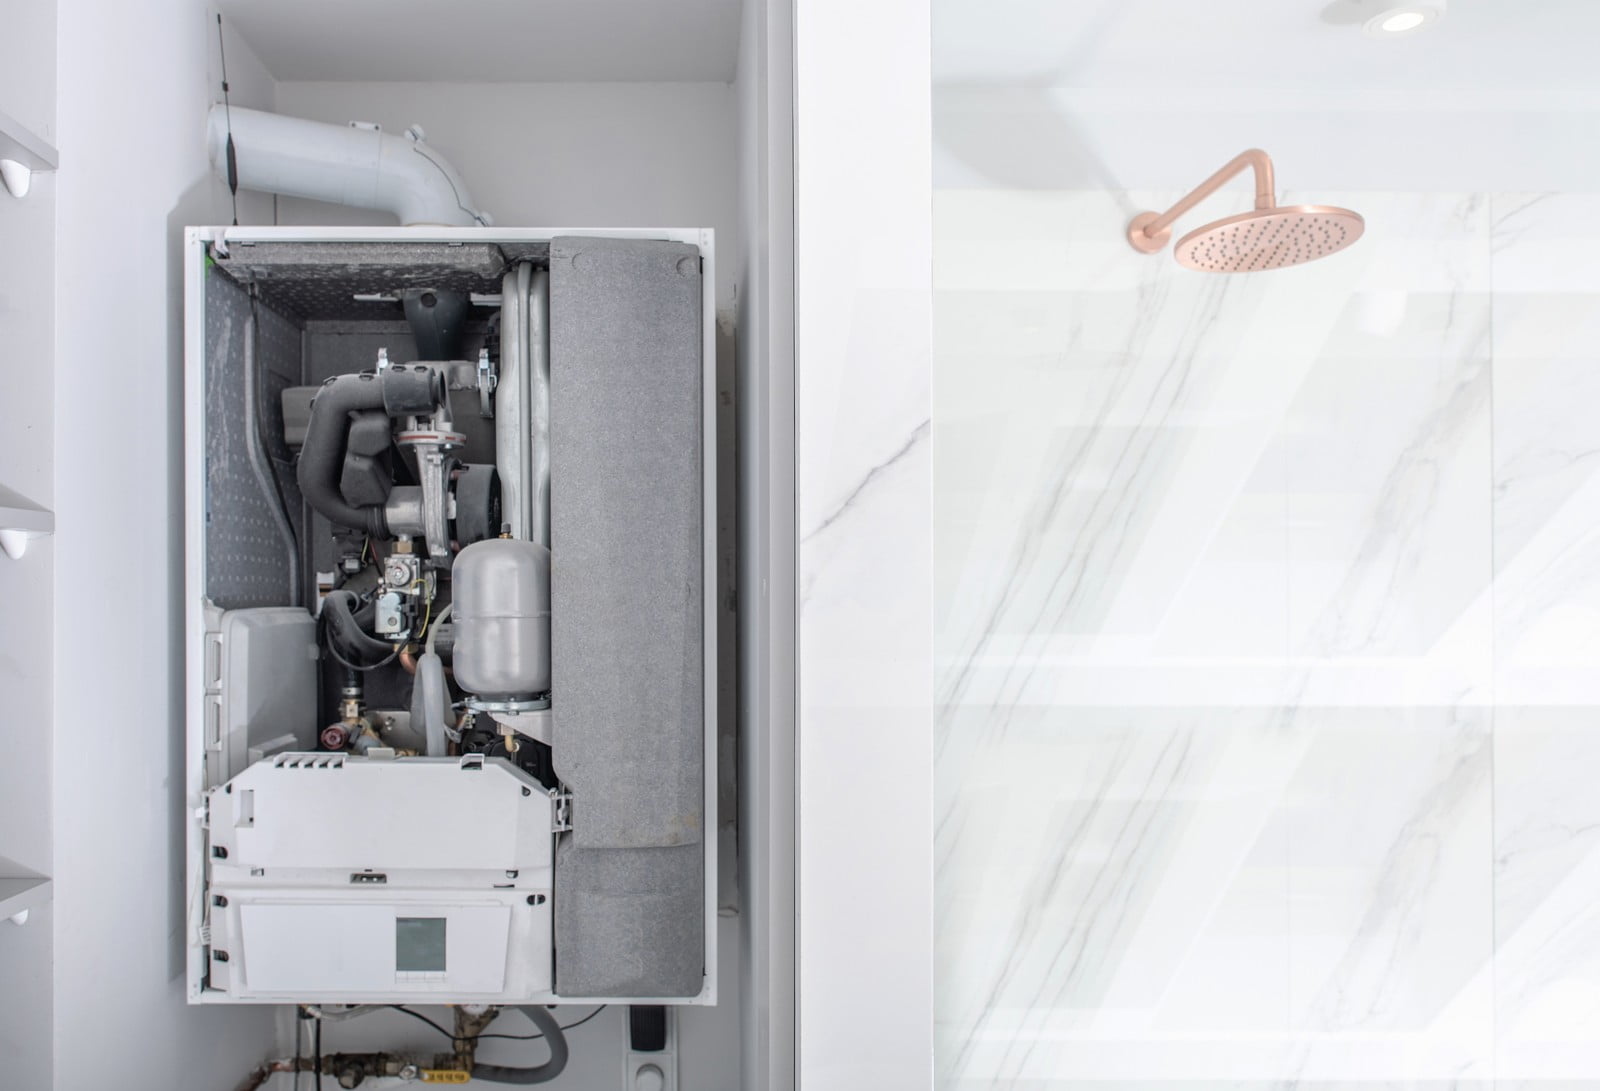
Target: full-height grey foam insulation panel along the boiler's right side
point(626, 615)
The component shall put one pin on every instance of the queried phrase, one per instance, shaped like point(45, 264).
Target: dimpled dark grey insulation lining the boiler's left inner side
point(247, 559)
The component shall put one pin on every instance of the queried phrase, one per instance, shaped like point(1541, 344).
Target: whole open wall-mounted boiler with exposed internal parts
point(450, 617)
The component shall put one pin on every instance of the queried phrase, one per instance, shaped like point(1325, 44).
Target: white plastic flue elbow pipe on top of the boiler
point(343, 164)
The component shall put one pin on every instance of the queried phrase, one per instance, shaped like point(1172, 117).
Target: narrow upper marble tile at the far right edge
point(1546, 449)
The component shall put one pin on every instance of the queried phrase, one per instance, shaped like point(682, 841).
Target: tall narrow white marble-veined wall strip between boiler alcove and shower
point(863, 252)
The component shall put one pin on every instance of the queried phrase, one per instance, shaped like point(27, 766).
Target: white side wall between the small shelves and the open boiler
point(137, 84)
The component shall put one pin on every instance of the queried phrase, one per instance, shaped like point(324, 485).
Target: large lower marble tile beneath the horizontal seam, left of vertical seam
point(1218, 893)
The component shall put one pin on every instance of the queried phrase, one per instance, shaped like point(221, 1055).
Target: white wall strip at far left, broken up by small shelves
point(28, 94)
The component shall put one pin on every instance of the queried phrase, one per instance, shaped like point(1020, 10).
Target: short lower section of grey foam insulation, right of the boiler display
point(630, 922)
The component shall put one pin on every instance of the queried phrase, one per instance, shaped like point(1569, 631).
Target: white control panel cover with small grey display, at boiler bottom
point(369, 881)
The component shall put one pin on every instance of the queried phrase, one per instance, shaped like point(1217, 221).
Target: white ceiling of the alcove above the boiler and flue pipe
point(492, 41)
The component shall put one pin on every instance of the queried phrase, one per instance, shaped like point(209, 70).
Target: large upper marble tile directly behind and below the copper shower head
point(1209, 490)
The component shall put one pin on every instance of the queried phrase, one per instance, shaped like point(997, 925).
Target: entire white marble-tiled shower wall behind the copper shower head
point(1268, 652)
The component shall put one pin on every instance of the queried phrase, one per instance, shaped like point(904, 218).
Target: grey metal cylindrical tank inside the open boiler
point(502, 594)
